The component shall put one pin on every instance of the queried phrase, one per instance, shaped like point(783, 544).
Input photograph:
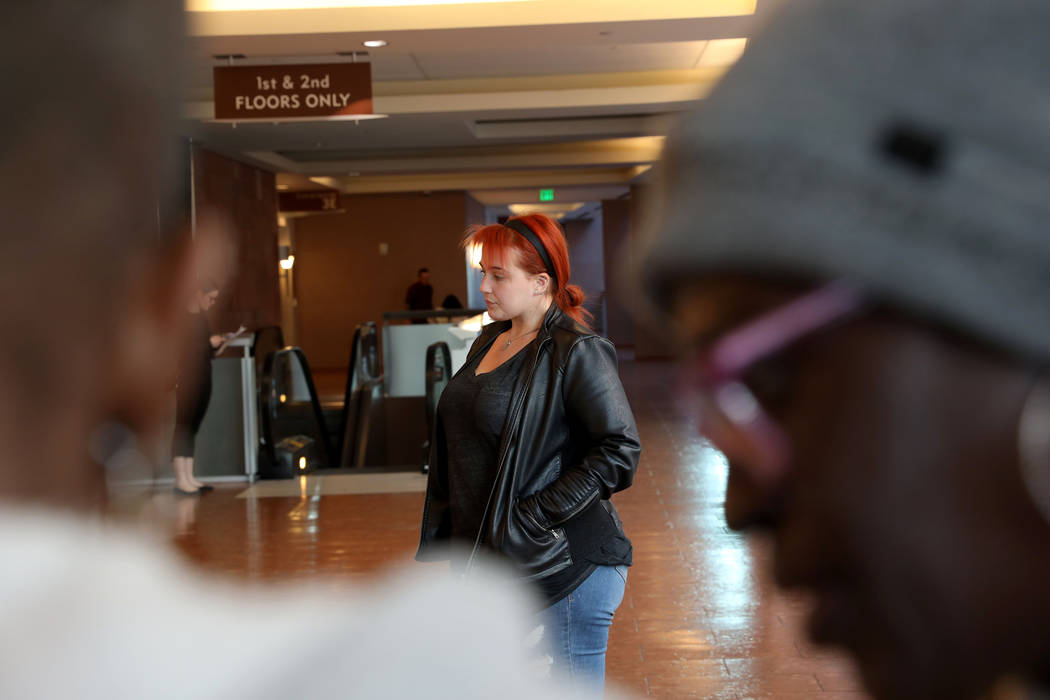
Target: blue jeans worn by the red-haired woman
point(577, 629)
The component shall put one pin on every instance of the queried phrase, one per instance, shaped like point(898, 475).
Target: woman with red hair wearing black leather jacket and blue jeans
point(534, 436)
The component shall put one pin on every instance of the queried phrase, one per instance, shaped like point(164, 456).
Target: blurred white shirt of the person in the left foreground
point(89, 611)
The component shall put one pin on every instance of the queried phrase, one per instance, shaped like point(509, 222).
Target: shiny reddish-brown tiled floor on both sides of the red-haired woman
point(701, 618)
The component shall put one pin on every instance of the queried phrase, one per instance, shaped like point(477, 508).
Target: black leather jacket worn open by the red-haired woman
point(570, 443)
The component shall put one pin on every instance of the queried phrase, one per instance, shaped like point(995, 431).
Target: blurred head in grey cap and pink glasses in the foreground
point(852, 230)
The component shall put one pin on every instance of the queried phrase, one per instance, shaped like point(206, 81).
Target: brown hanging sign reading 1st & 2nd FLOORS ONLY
point(293, 92)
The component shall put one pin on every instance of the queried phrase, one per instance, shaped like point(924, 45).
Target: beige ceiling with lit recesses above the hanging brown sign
point(496, 98)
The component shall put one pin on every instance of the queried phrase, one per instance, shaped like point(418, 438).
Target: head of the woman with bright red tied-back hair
point(516, 275)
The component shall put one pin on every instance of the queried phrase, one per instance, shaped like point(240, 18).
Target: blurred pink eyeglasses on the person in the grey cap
point(731, 417)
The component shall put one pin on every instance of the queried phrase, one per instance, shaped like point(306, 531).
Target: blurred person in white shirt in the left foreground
point(89, 608)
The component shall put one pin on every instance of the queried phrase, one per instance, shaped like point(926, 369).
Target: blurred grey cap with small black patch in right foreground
point(902, 144)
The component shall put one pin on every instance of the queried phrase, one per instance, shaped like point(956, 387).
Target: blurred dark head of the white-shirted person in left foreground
point(94, 286)
